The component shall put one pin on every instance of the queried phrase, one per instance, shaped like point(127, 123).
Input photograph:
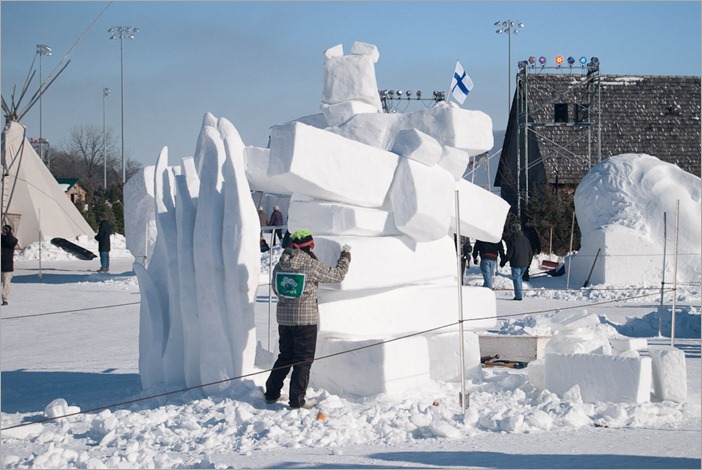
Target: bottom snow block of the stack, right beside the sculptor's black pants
point(393, 368)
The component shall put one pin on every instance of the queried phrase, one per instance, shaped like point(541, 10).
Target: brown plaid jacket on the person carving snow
point(303, 310)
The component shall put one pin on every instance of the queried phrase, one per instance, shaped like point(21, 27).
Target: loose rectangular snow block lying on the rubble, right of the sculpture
point(616, 379)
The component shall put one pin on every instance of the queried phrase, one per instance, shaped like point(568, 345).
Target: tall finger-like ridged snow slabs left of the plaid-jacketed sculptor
point(197, 312)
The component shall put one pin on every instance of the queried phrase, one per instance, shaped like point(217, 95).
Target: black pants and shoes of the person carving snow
point(297, 348)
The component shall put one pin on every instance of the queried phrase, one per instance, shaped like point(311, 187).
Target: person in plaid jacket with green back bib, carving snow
point(296, 278)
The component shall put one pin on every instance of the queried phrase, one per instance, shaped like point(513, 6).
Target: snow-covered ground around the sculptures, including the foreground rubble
point(73, 334)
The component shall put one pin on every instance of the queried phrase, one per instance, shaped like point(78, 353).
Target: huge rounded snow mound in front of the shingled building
point(620, 205)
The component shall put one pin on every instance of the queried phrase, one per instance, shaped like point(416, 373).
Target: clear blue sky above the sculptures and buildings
point(259, 64)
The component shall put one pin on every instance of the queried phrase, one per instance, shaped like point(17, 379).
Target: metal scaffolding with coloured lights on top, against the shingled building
point(562, 112)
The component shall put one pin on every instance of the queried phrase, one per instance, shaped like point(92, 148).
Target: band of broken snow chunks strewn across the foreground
point(208, 432)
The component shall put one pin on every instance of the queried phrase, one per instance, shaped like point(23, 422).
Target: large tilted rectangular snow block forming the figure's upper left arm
point(323, 165)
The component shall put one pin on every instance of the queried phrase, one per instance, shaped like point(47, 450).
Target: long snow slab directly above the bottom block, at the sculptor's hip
point(403, 310)
